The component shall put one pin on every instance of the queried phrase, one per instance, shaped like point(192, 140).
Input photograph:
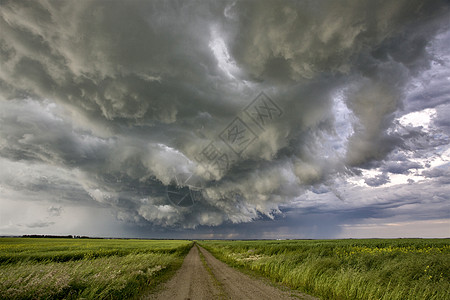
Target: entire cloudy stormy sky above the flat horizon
point(225, 119)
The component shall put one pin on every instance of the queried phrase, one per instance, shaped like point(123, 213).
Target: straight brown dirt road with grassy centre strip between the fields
point(213, 279)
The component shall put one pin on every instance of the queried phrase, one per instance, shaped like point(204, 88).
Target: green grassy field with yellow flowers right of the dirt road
point(347, 269)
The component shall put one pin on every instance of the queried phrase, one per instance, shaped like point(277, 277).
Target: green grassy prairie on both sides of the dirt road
point(53, 268)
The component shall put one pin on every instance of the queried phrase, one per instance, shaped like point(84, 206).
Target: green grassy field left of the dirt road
point(39, 268)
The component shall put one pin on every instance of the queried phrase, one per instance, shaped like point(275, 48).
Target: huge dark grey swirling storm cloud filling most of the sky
point(124, 96)
